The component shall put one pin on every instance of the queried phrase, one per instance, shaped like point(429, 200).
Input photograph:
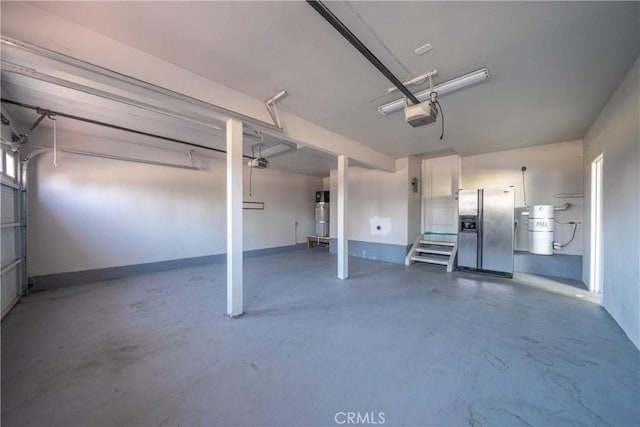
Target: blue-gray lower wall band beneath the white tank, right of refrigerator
point(557, 265)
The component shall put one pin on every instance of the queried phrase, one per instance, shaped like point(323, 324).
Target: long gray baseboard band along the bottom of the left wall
point(74, 278)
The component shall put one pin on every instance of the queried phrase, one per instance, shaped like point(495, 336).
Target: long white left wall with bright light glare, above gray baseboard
point(90, 213)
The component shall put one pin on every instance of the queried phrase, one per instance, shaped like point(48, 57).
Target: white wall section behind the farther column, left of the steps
point(377, 198)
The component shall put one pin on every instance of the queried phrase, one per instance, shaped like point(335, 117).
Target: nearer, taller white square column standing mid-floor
point(234, 218)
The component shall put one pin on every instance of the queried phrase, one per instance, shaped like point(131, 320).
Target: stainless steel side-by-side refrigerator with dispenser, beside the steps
point(485, 230)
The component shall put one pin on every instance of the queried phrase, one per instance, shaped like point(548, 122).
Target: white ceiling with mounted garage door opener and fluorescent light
point(553, 65)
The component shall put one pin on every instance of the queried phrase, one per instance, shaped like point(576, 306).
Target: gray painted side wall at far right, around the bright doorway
point(616, 134)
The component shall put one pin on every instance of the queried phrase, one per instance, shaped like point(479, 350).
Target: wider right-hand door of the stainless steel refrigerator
point(497, 230)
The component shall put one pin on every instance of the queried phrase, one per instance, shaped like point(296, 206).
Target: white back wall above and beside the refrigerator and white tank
point(551, 169)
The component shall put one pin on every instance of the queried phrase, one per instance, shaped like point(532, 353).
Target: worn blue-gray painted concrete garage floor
point(420, 346)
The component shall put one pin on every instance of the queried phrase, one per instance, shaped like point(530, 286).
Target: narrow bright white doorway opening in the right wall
point(595, 275)
